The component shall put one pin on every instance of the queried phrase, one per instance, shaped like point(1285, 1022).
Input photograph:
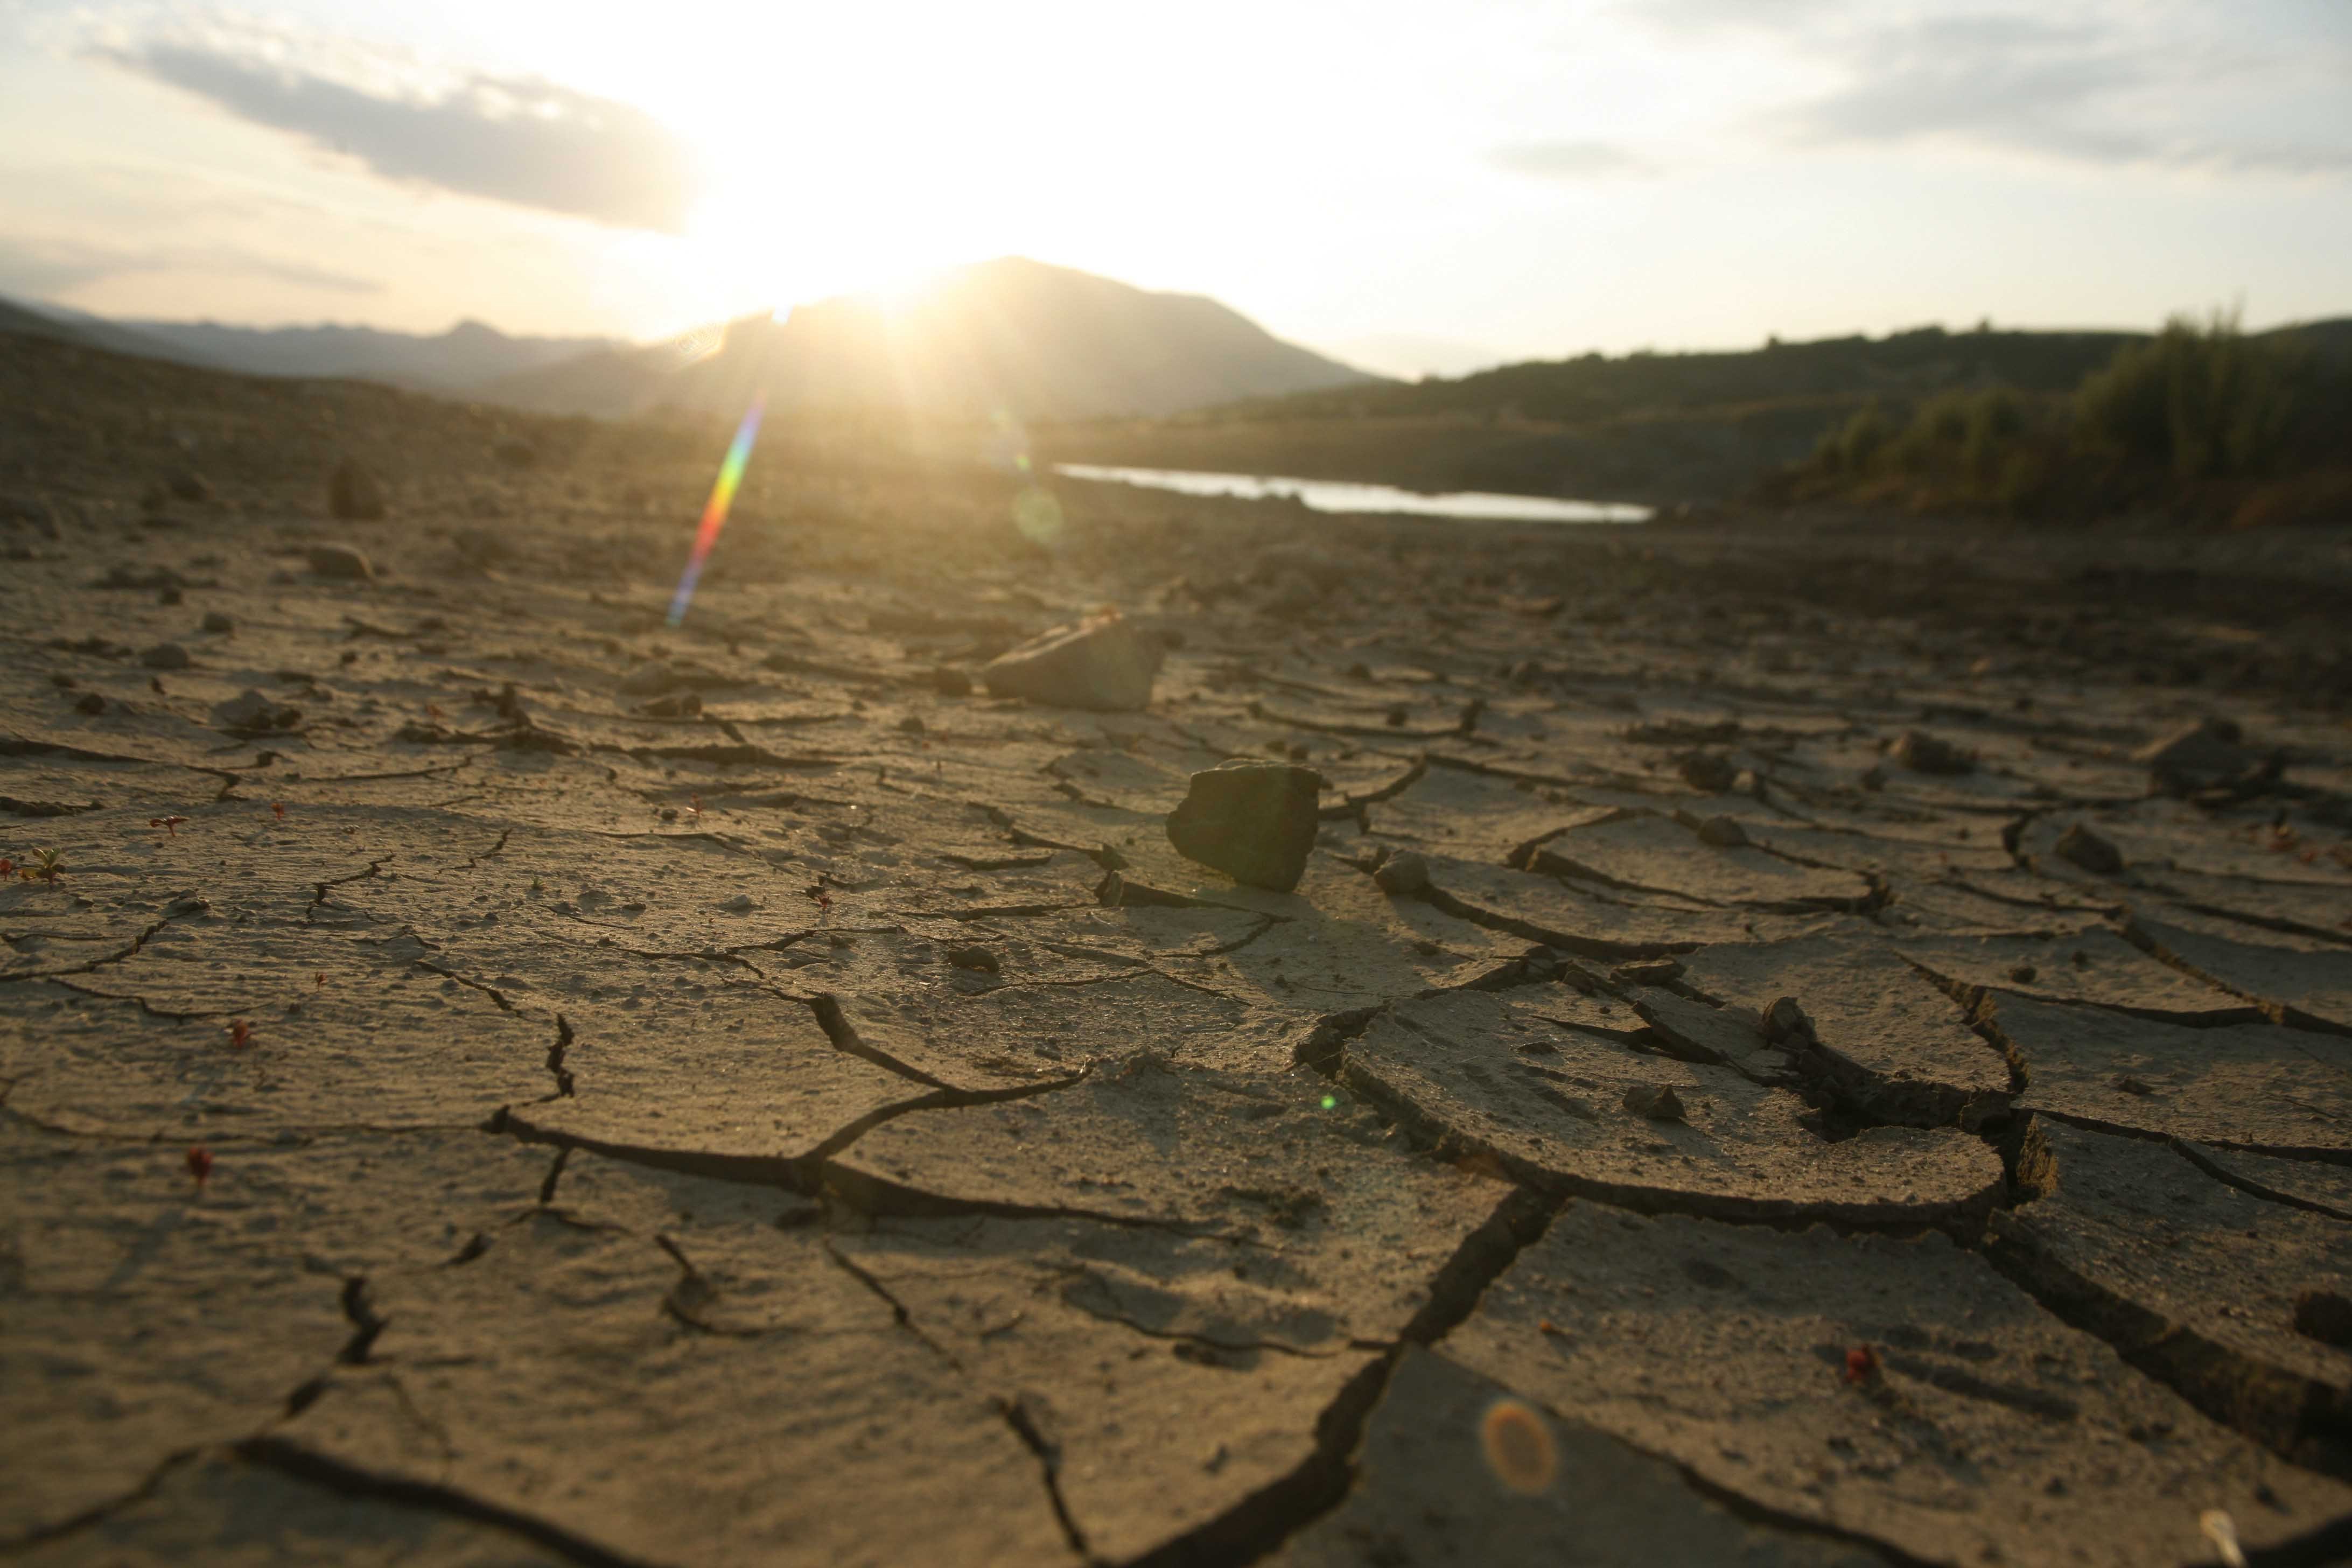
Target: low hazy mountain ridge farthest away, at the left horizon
point(443, 363)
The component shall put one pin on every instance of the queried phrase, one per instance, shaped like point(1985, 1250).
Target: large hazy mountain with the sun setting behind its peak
point(1001, 337)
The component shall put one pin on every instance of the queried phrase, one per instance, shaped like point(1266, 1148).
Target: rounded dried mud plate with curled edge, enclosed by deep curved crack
point(1490, 1073)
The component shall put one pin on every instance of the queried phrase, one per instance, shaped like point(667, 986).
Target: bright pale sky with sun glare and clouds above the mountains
point(1412, 187)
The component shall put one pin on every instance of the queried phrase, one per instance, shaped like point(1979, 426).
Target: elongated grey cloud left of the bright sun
point(509, 140)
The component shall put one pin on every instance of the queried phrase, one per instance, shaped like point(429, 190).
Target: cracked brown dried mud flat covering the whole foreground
point(740, 1097)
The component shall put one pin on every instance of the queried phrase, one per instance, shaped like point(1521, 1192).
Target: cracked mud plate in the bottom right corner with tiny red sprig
point(1989, 1433)
